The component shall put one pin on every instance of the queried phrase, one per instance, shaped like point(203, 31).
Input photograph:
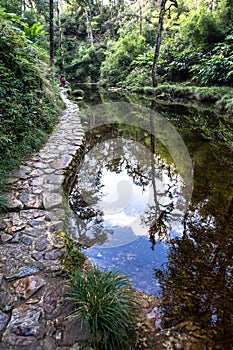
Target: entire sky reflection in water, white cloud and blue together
point(123, 205)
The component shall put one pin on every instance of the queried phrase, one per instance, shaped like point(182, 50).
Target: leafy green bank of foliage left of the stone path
point(27, 105)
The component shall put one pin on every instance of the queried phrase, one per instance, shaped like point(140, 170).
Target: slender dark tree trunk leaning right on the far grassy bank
point(158, 43)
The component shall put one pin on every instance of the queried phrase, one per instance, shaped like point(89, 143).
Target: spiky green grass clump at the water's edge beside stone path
point(104, 300)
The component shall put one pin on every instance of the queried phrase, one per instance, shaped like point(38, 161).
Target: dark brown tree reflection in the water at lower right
point(197, 281)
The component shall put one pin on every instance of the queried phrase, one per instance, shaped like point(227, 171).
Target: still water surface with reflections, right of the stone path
point(133, 214)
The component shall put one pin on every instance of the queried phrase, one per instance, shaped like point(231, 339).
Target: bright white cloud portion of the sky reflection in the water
point(123, 203)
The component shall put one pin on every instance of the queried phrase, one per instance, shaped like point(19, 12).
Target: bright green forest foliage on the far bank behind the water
point(114, 44)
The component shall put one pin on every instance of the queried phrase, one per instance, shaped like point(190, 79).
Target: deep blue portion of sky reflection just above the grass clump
point(137, 260)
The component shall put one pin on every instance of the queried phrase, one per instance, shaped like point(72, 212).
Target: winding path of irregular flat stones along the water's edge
point(32, 276)
